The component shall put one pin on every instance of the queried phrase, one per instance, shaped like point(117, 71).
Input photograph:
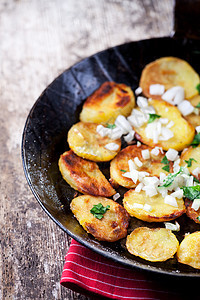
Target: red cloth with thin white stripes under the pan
point(92, 274)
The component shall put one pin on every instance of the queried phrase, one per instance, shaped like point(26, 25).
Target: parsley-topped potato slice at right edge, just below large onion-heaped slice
point(191, 156)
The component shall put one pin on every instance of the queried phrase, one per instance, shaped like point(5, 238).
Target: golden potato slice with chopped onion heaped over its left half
point(183, 131)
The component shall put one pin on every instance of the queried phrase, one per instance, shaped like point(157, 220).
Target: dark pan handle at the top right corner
point(187, 19)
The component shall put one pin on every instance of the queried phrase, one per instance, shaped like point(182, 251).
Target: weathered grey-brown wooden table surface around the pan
point(38, 40)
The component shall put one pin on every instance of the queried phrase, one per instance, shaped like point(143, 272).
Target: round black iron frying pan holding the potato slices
point(58, 108)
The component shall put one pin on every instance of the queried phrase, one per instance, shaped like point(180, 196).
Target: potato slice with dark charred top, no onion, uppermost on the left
point(107, 102)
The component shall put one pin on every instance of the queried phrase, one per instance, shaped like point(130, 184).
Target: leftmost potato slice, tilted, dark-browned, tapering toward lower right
point(84, 176)
